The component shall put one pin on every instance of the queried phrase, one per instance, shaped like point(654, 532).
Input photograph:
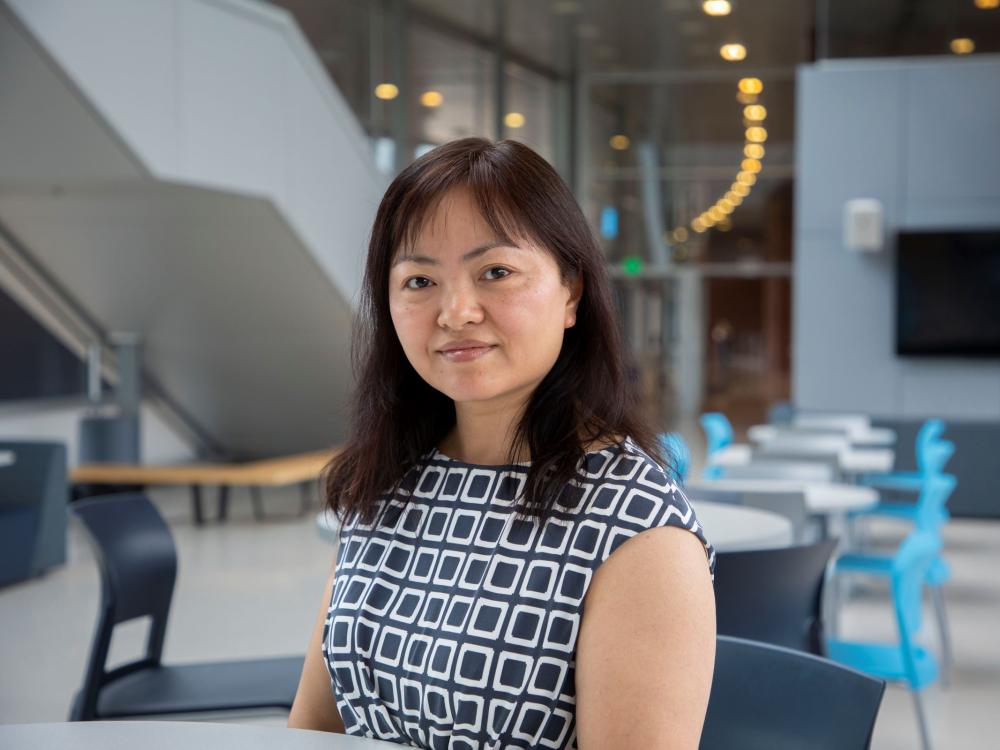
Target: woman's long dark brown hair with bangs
point(586, 397)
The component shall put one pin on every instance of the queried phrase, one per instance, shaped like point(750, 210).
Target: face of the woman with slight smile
point(479, 320)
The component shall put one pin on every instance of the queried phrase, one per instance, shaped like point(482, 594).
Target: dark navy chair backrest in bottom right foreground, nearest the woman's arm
point(766, 696)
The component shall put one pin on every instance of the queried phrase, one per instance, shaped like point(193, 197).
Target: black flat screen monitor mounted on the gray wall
point(948, 293)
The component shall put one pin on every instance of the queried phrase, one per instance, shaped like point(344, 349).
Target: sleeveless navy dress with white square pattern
point(453, 625)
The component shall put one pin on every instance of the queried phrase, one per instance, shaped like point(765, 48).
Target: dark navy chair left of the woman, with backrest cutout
point(138, 564)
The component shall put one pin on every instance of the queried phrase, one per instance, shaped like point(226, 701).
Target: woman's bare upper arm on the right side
point(646, 649)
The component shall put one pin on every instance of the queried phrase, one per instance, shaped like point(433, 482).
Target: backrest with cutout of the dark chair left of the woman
point(138, 564)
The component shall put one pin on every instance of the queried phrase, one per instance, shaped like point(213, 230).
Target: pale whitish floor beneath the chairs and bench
point(252, 589)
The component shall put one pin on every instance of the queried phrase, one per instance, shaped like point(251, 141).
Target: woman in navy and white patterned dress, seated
point(515, 567)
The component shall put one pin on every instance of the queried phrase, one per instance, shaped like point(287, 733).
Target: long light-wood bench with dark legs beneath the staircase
point(302, 469)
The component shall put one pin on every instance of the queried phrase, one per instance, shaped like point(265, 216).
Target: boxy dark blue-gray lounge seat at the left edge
point(33, 500)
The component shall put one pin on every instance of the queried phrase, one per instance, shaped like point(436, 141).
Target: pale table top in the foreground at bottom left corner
point(173, 735)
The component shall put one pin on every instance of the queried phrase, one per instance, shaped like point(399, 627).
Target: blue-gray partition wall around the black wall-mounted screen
point(919, 135)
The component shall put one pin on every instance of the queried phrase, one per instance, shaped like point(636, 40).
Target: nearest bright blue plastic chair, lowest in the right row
point(904, 661)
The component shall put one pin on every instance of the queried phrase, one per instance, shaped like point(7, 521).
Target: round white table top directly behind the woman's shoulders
point(728, 527)
